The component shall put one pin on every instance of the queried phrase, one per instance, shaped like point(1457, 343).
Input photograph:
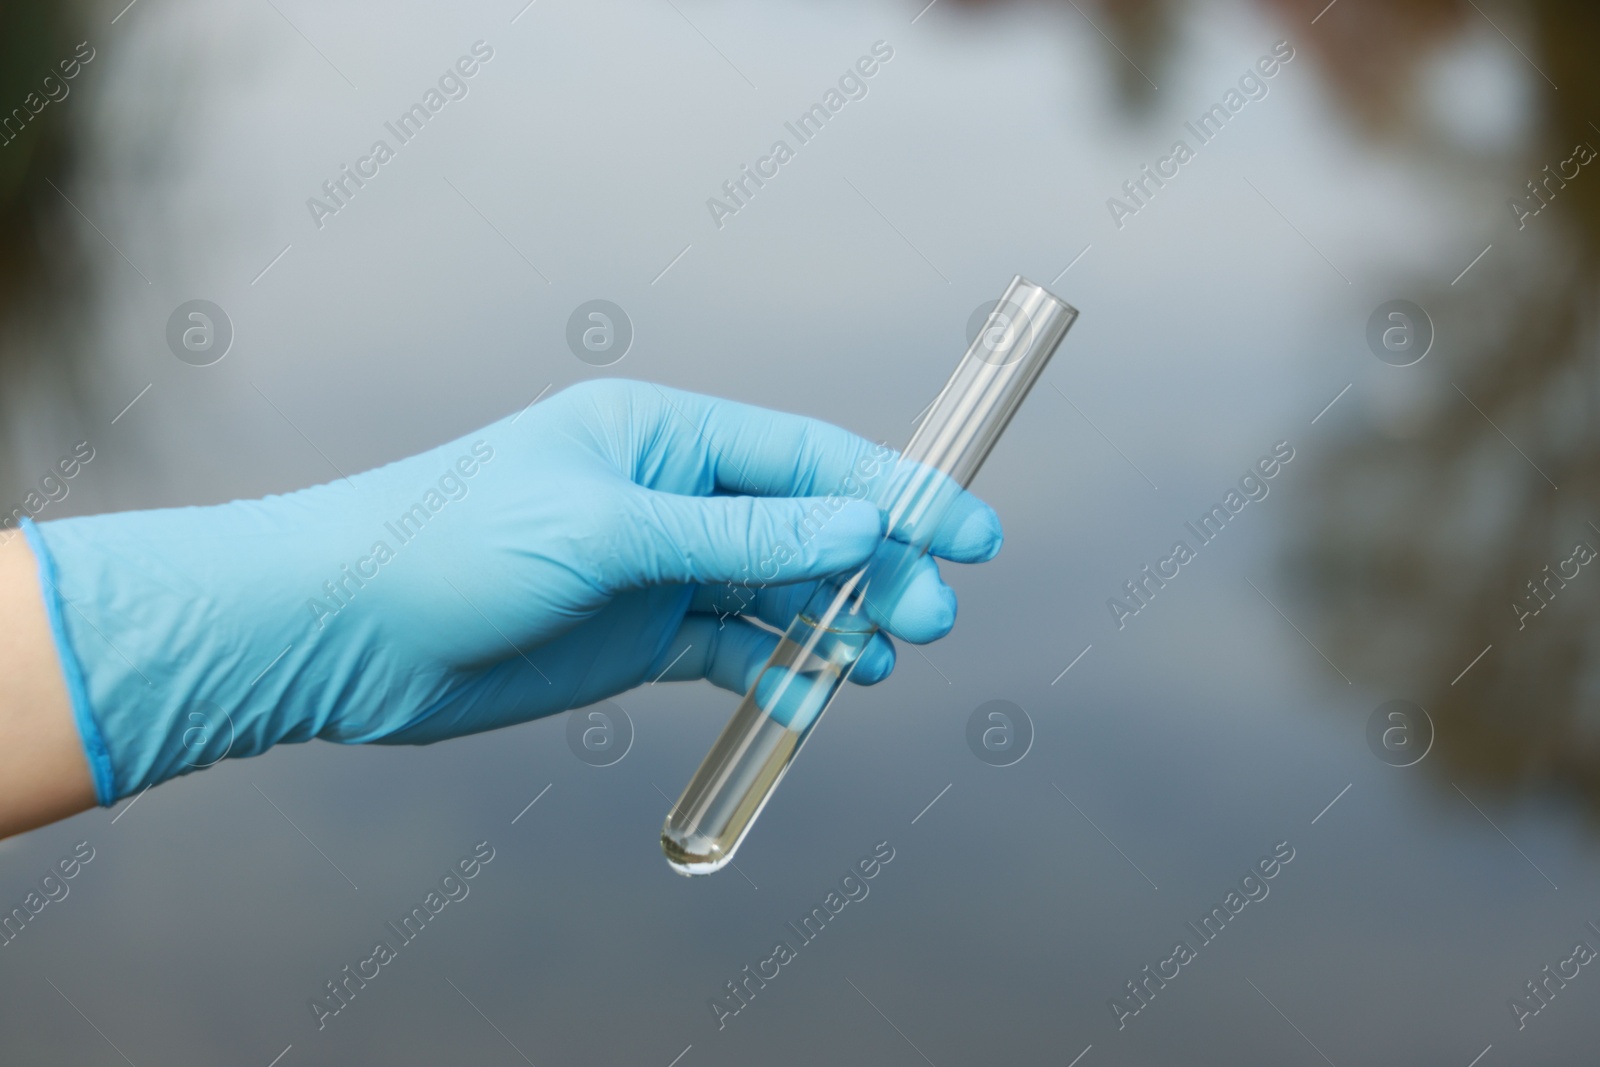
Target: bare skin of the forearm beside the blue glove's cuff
point(44, 775)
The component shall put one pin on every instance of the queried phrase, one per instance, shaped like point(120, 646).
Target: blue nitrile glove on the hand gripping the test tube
point(546, 562)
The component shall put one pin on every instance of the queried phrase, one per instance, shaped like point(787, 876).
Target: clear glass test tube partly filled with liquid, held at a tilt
point(822, 647)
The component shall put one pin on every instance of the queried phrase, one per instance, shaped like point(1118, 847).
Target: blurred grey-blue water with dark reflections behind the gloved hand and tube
point(1222, 319)
